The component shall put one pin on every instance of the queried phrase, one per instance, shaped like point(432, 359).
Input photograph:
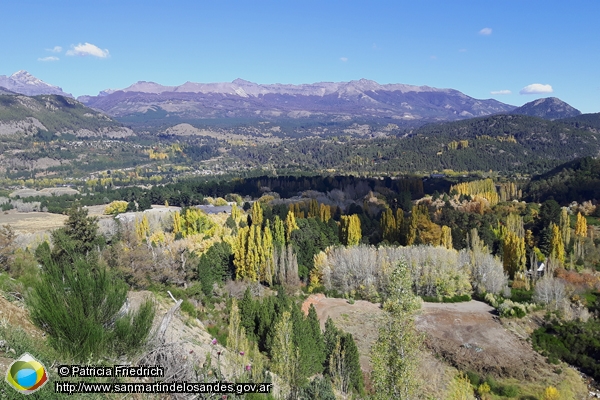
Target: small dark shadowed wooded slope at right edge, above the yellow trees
point(577, 180)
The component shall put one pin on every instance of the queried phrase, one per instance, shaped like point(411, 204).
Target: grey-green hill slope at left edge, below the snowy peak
point(55, 114)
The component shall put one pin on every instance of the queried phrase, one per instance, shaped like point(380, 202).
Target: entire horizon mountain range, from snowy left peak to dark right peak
point(362, 101)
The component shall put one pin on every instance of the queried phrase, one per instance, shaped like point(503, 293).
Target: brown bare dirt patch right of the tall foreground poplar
point(470, 337)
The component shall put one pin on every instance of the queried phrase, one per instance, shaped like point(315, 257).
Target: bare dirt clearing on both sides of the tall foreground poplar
point(468, 336)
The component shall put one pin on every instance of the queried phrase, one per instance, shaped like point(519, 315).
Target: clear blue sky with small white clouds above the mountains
point(482, 48)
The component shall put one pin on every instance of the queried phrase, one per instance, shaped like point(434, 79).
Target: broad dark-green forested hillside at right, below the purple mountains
point(504, 143)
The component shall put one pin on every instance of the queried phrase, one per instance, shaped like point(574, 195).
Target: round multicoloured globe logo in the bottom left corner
point(26, 375)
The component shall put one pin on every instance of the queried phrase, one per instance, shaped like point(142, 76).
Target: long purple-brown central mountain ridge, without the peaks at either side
point(341, 101)
